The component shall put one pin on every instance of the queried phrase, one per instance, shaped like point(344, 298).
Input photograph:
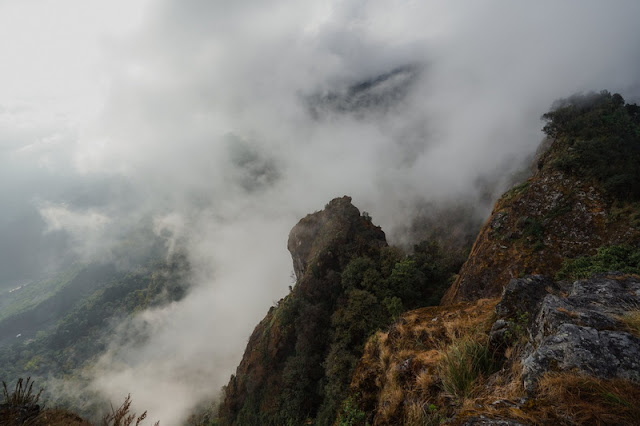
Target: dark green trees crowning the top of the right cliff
point(597, 137)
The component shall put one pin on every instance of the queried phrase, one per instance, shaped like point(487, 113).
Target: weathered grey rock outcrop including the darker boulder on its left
point(575, 327)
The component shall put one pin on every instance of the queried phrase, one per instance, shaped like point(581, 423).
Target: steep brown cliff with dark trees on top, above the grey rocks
point(583, 196)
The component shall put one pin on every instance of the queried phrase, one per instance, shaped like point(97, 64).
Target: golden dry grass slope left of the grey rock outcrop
point(403, 363)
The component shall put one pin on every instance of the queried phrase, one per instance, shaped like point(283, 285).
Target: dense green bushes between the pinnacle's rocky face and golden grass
point(376, 291)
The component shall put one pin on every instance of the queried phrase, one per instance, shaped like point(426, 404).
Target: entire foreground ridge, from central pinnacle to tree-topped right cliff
point(355, 342)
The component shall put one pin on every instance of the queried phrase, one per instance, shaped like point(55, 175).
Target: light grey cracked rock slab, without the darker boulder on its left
point(582, 332)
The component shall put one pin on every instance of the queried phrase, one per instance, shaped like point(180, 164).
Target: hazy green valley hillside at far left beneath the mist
point(58, 344)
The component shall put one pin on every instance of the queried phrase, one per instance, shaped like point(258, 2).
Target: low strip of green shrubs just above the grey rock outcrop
point(621, 258)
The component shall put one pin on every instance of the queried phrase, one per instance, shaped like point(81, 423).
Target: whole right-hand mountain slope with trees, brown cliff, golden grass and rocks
point(508, 348)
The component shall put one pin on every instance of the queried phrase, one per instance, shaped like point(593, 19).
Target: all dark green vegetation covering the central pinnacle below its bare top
point(322, 330)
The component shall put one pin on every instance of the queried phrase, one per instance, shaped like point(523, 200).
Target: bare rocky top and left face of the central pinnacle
point(279, 379)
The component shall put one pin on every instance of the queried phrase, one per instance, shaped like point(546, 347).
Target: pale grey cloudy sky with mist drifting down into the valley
point(225, 122)
